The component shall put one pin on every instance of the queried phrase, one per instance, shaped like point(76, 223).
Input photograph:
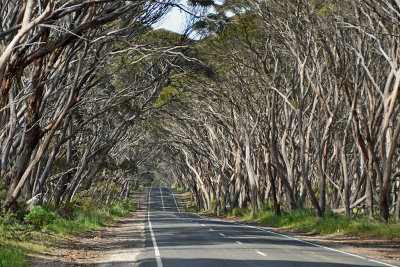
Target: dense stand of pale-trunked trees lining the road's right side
point(306, 94)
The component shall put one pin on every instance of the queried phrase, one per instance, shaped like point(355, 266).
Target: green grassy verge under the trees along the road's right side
point(305, 220)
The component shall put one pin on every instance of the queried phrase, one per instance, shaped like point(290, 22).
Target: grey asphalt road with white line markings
point(175, 238)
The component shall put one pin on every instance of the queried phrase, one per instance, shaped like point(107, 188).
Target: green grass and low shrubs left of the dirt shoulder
point(20, 239)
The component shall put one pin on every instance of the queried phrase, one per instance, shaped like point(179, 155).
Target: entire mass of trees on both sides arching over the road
point(293, 103)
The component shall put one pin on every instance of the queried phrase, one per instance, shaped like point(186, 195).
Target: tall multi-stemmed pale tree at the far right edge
point(376, 25)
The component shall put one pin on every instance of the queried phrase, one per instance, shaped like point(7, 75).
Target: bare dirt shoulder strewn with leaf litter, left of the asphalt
point(125, 238)
